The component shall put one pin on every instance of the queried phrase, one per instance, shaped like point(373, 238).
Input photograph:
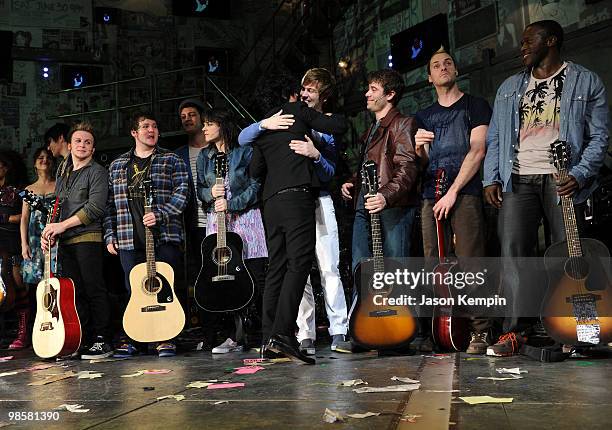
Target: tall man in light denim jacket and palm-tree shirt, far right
point(551, 100)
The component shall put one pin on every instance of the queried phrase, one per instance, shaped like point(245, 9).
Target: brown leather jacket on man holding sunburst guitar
point(392, 149)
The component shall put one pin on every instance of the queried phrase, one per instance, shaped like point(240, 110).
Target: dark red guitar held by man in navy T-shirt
point(448, 332)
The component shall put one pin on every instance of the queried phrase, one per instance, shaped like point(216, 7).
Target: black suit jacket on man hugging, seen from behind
point(273, 158)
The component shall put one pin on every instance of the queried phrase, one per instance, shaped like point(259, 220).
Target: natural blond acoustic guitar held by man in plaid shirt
point(154, 313)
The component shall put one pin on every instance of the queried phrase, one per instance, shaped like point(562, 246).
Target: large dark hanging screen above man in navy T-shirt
point(413, 47)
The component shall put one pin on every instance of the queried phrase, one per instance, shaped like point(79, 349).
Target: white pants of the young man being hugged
point(328, 257)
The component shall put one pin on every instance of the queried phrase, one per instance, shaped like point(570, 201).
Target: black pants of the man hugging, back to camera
point(290, 234)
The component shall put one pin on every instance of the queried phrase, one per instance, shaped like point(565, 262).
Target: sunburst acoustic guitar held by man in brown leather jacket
point(374, 325)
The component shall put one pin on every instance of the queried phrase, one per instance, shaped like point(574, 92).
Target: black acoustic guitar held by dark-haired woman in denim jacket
point(224, 284)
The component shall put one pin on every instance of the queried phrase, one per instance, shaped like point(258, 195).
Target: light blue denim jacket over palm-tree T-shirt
point(583, 124)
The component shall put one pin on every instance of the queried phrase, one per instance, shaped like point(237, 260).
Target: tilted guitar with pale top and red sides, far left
point(57, 328)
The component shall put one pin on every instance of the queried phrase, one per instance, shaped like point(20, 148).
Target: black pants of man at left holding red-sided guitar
point(82, 262)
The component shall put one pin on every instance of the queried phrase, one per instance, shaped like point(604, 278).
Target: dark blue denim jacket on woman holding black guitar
point(243, 188)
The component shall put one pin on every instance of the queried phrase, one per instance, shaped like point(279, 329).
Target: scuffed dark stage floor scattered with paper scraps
point(567, 395)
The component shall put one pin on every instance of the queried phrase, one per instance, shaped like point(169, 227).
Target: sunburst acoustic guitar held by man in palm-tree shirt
point(577, 308)
